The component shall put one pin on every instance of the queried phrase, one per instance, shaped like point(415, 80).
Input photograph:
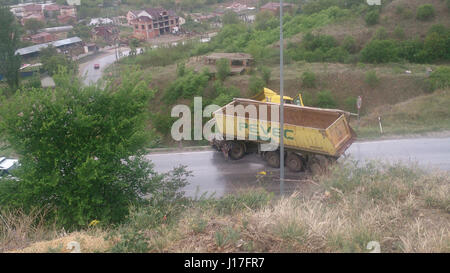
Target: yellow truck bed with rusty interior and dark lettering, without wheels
point(307, 129)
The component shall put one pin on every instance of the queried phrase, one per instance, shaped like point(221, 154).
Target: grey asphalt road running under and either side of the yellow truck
point(213, 174)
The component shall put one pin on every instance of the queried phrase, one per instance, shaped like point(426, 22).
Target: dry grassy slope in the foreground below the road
point(402, 208)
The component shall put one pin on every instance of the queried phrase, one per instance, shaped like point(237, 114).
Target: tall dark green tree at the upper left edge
point(9, 43)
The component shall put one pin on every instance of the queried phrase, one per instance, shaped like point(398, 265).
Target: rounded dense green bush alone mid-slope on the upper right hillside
point(380, 51)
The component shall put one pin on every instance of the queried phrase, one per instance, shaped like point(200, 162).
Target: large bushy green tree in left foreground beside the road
point(81, 150)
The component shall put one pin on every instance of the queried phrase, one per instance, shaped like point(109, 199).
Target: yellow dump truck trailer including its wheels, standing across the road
point(313, 137)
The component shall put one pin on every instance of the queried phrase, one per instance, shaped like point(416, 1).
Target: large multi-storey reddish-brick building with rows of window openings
point(153, 22)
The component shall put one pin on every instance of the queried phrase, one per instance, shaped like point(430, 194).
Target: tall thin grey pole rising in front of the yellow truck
point(281, 102)
